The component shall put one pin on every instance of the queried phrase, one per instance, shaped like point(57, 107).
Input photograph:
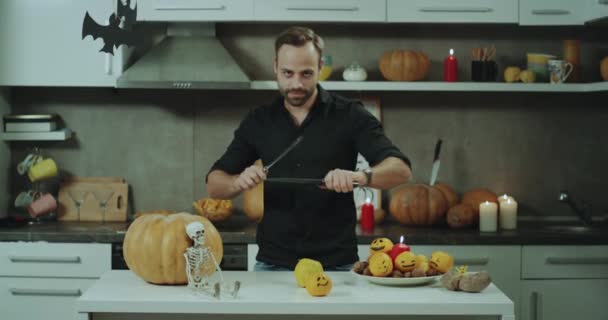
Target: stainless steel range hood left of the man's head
point(189, 57)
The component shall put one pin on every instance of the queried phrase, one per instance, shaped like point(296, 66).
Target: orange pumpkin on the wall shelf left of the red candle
point(404, 65)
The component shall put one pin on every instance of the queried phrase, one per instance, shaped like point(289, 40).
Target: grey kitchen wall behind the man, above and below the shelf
point(530, 145)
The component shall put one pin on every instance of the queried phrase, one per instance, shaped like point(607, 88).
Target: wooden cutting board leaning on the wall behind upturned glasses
point(91, 209)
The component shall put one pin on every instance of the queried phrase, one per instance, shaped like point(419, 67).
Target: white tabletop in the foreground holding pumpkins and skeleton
point(120, 294)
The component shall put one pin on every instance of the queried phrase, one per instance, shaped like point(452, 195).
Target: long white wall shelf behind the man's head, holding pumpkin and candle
point(447, 86)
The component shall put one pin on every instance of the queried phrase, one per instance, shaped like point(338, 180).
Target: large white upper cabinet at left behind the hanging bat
point(42, 44)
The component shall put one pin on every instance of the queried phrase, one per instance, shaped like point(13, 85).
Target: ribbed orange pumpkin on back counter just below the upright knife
point(418, 204)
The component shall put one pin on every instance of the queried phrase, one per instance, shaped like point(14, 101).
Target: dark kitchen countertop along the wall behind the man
point(239, 230)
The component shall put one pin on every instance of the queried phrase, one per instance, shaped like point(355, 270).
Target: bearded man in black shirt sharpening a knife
point(307, 221)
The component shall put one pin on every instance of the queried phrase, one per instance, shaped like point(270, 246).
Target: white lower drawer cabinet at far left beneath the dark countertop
point(41, 280)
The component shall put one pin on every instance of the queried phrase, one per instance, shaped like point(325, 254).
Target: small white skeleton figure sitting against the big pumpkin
point(199, 257)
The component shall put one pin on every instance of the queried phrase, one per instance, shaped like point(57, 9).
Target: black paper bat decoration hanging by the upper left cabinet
point(112, 34)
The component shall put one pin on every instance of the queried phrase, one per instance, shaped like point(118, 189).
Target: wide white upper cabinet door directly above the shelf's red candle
point(462, 11)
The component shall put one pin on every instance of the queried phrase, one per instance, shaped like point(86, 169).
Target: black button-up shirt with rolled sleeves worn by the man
point(305, 221)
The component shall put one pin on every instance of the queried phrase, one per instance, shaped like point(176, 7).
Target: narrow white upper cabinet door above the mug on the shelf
point(551, 12)
